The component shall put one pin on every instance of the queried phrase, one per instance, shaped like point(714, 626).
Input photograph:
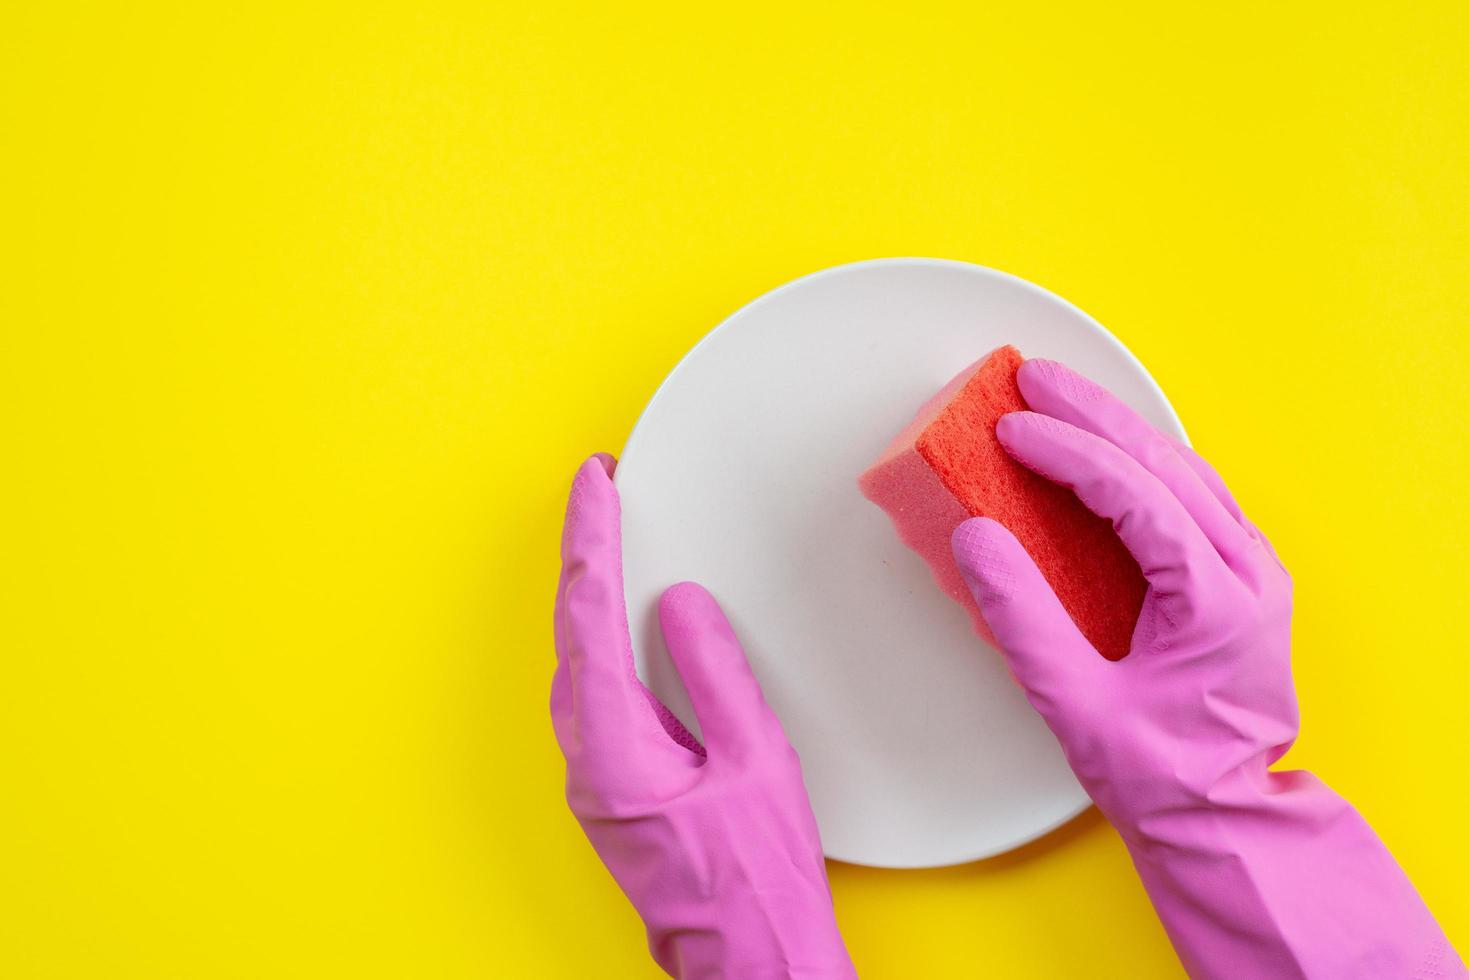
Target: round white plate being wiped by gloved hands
point(917, 747)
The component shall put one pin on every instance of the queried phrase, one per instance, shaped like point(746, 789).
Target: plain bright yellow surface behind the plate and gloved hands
point(311, 314)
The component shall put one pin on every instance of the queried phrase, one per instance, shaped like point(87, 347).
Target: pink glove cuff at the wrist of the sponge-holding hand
point(1274, 875)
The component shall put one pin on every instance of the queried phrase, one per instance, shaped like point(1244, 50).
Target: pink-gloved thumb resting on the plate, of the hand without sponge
point(726, 697)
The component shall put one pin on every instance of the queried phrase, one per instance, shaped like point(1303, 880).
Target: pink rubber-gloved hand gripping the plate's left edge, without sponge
point(718, 850)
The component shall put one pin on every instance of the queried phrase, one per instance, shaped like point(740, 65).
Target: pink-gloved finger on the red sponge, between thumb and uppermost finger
point(1155, 528)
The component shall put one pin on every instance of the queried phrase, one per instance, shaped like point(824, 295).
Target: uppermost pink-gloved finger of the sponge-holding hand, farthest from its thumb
point(1055, 390)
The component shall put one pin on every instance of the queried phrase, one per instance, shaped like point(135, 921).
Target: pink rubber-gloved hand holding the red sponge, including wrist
point(1254, 873)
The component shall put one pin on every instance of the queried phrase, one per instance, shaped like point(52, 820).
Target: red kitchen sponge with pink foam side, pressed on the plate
point(948, 466)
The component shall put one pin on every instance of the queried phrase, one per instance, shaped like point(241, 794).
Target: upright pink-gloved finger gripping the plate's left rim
point(596, 690)
